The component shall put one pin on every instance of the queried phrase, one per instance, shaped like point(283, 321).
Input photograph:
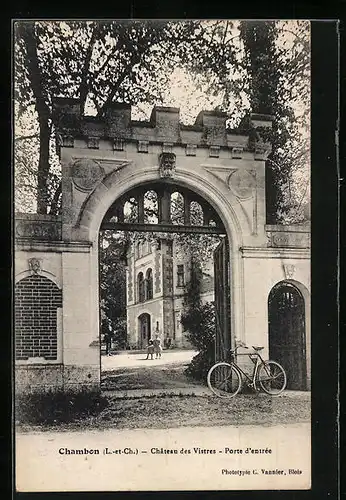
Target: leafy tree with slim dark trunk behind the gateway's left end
point(96, 62)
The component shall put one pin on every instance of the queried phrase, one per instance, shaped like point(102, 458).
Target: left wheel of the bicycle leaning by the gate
point(224, 380)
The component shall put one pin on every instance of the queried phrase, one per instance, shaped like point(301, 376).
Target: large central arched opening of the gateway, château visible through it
point(157, 263)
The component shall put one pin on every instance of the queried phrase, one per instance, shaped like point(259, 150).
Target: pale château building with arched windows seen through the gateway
point(158, 272)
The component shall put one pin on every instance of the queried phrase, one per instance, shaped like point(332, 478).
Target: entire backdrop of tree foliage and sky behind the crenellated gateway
point(229, 65)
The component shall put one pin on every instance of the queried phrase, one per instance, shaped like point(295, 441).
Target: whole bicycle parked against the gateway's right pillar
point(225, 379)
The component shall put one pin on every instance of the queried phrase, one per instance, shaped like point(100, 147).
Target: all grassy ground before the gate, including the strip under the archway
point(86, 411)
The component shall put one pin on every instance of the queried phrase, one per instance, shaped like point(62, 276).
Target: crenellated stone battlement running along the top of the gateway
point(163, 127)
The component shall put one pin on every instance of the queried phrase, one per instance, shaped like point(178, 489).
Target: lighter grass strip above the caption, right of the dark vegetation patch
point(169, 411)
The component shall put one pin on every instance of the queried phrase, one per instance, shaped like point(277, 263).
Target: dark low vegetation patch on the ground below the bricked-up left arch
point(58, 407)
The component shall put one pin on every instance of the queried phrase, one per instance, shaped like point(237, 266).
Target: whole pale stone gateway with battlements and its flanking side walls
point(56, 260)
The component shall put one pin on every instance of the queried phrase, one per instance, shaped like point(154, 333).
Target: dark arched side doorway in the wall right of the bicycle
point(287, 333)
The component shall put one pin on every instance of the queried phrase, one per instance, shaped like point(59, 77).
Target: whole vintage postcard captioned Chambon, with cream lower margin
point(162, 255)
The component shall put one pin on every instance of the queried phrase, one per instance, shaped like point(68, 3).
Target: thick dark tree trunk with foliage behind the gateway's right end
point(279, 86)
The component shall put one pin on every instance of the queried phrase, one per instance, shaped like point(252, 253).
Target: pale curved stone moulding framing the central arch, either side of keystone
point(117, 184)
